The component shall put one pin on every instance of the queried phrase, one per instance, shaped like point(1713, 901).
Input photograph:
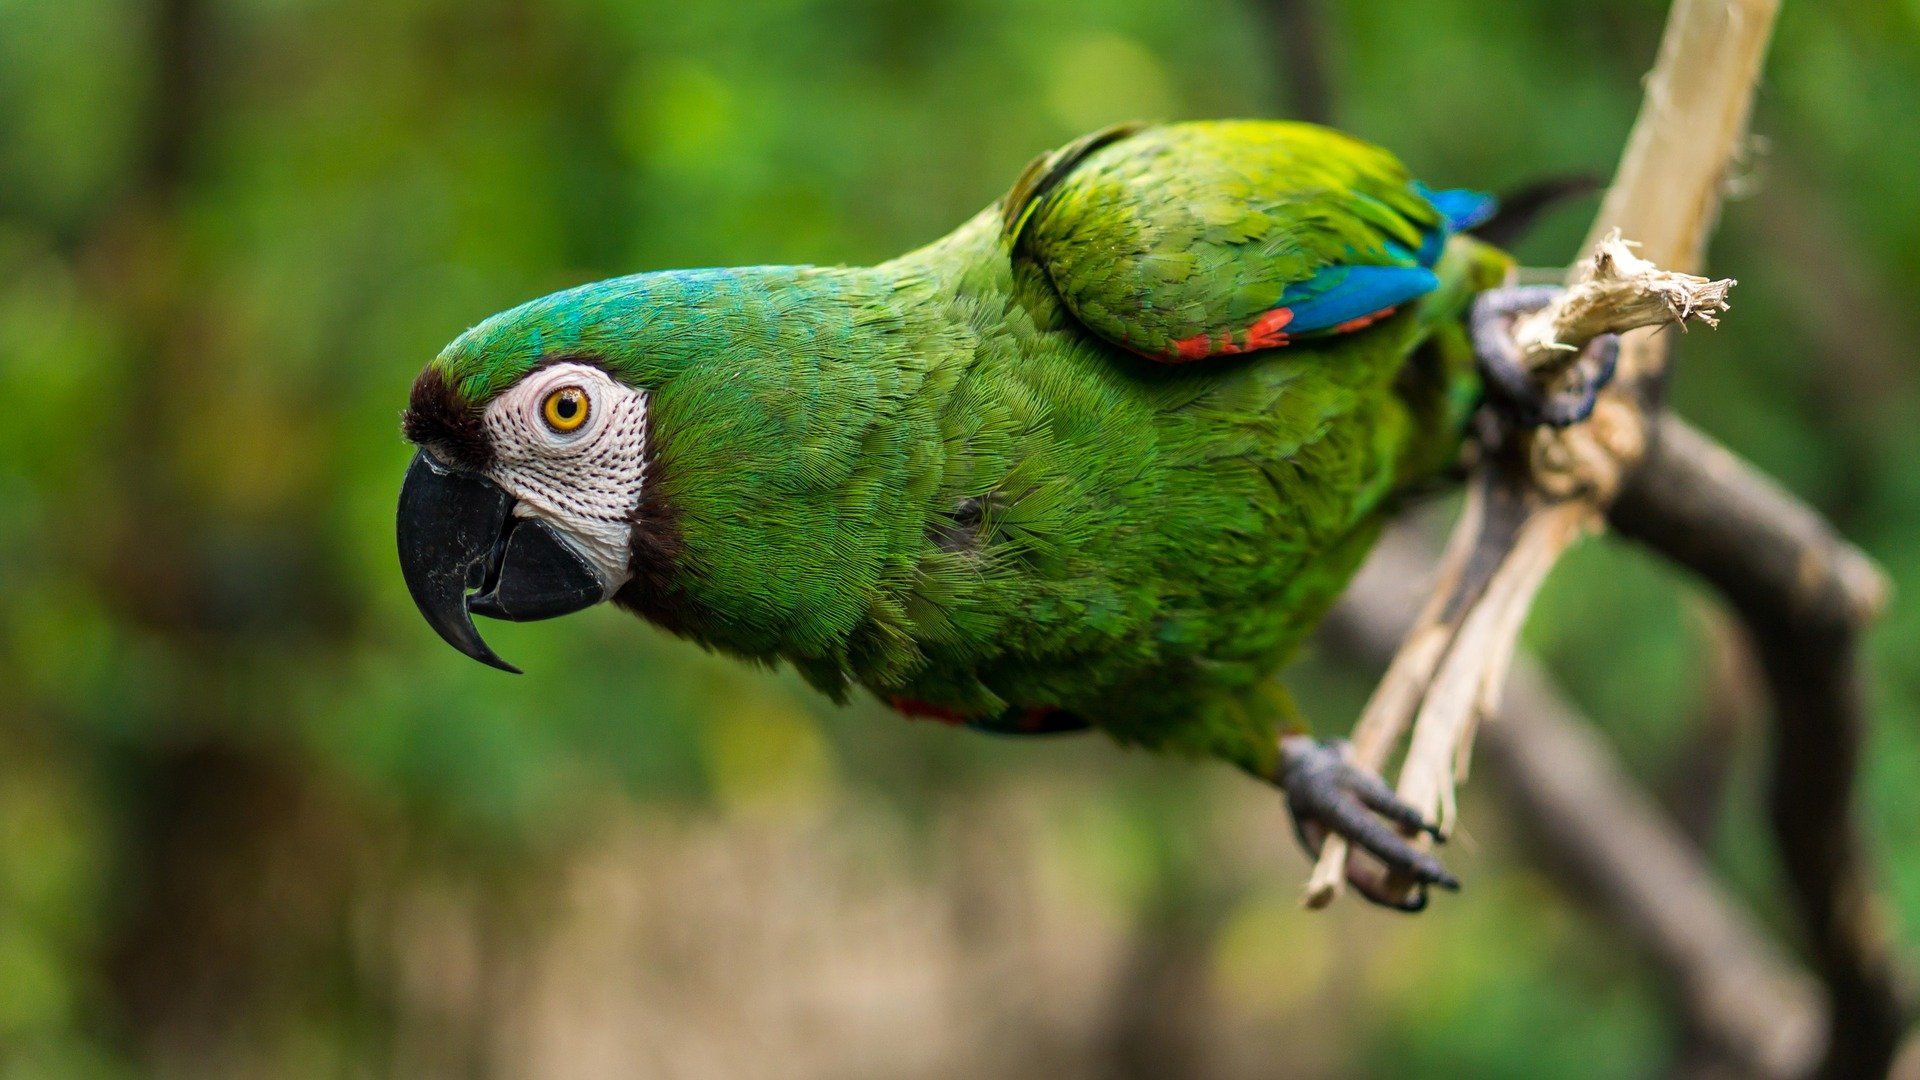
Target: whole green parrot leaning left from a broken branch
point(1101, 458)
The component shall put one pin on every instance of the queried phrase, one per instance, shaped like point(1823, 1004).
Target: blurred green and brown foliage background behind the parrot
point(258, 822)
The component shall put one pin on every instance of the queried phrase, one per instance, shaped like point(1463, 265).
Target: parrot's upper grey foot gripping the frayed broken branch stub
point(1516, 395)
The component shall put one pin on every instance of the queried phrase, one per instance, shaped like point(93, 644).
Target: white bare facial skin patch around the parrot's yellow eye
point(585, 481)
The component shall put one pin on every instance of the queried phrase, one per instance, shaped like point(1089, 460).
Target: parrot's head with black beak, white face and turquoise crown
point(531, 466)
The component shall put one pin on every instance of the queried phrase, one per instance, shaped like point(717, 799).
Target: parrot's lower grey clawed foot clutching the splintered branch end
point(1330, 795)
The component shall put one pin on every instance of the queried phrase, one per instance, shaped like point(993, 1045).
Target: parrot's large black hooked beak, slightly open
point(458, 533)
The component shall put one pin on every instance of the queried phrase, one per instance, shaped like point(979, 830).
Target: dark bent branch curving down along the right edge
point(1806, 599)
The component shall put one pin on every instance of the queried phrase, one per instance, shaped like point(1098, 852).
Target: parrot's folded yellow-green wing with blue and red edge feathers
point(1205, 239)
